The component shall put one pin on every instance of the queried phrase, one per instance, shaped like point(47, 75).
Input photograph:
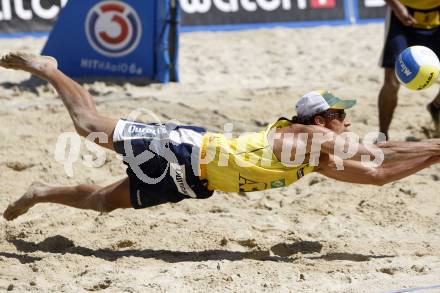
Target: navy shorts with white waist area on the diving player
point(162, 161)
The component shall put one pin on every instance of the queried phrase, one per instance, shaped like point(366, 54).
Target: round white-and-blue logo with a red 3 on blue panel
point(113, 28)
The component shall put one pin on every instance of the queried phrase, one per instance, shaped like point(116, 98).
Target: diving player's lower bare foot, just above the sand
point(25, 202)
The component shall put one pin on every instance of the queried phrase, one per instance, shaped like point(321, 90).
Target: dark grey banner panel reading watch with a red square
point(229, 12)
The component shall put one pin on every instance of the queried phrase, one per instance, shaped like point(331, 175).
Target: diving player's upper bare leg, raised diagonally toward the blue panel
point(76, 98)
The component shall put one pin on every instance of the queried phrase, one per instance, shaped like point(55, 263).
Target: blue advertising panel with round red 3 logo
point(114, 38)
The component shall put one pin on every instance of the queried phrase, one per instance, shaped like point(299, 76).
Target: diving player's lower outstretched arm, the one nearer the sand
point(356, 172)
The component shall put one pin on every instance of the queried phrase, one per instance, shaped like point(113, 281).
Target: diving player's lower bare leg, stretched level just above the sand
point(86, 196)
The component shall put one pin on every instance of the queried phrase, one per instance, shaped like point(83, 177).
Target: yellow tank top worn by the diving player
point(246, 163)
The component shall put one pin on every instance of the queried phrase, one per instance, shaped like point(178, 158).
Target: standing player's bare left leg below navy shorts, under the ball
point(387, 100)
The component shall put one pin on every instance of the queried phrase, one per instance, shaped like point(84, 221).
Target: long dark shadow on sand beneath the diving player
point(280, 253)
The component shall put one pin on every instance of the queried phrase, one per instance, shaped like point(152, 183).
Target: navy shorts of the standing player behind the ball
point(400, 37)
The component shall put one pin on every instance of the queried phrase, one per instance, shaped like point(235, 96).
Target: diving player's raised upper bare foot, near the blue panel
point(40, 66)
